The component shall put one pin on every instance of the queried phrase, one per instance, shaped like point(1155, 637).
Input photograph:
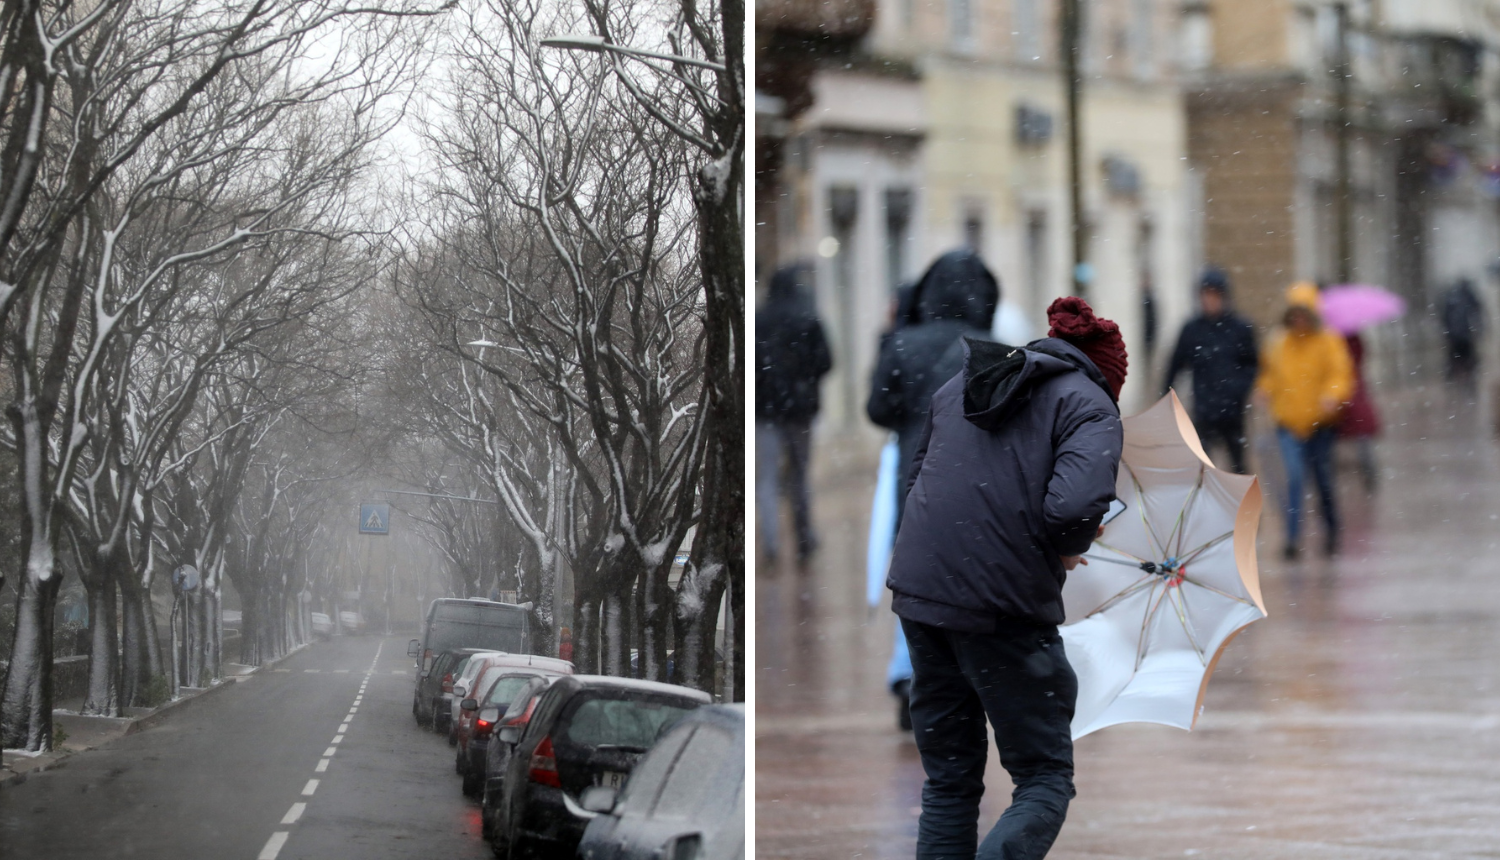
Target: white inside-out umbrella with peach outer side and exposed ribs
point(1169, 583)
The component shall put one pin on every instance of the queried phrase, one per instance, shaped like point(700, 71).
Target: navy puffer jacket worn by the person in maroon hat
point(1015, 472)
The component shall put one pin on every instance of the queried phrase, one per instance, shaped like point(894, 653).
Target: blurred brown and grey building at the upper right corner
point(1420, 157)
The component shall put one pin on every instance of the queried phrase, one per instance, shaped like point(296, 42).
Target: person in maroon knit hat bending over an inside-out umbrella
point(1009, 487)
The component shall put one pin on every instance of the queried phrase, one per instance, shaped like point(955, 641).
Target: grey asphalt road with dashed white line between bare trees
point(317, 759)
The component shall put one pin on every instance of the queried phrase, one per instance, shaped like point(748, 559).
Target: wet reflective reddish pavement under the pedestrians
point(1360, 721)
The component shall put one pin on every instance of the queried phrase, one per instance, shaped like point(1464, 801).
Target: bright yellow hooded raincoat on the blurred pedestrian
point(1303, 371)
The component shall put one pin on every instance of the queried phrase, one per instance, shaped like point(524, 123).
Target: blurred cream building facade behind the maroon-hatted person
point(898, 130)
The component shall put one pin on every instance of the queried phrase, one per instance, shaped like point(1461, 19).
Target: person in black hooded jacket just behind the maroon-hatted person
point(956, 298)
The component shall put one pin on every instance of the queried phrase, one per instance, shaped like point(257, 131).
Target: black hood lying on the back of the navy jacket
point(998, 380)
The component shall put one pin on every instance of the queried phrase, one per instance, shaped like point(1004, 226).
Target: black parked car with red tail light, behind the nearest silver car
point(586, 730)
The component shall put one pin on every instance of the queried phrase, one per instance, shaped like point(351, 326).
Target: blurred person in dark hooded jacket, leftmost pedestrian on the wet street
point(791, 361)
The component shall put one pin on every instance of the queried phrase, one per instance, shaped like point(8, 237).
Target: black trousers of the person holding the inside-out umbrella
point(1021, 681)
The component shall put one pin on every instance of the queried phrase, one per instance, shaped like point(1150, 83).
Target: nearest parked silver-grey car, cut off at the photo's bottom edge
point(685, 801)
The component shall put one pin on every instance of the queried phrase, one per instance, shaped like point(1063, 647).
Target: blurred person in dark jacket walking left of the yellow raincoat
point(1219, 347)
